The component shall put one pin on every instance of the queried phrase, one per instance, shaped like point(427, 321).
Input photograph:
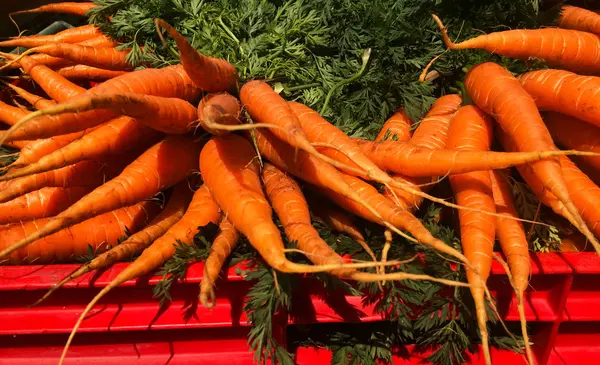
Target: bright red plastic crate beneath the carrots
point(129, 325)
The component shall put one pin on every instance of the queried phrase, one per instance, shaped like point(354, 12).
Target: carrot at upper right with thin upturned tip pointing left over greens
point(564, 48)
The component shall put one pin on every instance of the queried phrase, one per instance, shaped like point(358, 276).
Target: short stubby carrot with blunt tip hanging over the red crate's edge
point(222, 246)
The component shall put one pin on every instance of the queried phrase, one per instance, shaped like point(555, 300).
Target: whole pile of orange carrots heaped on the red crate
point(92, 159)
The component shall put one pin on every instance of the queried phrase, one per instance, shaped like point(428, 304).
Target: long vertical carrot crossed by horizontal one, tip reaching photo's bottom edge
point(472, 130)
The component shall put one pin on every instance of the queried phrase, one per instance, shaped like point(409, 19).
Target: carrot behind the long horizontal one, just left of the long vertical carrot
point(430, 133)
